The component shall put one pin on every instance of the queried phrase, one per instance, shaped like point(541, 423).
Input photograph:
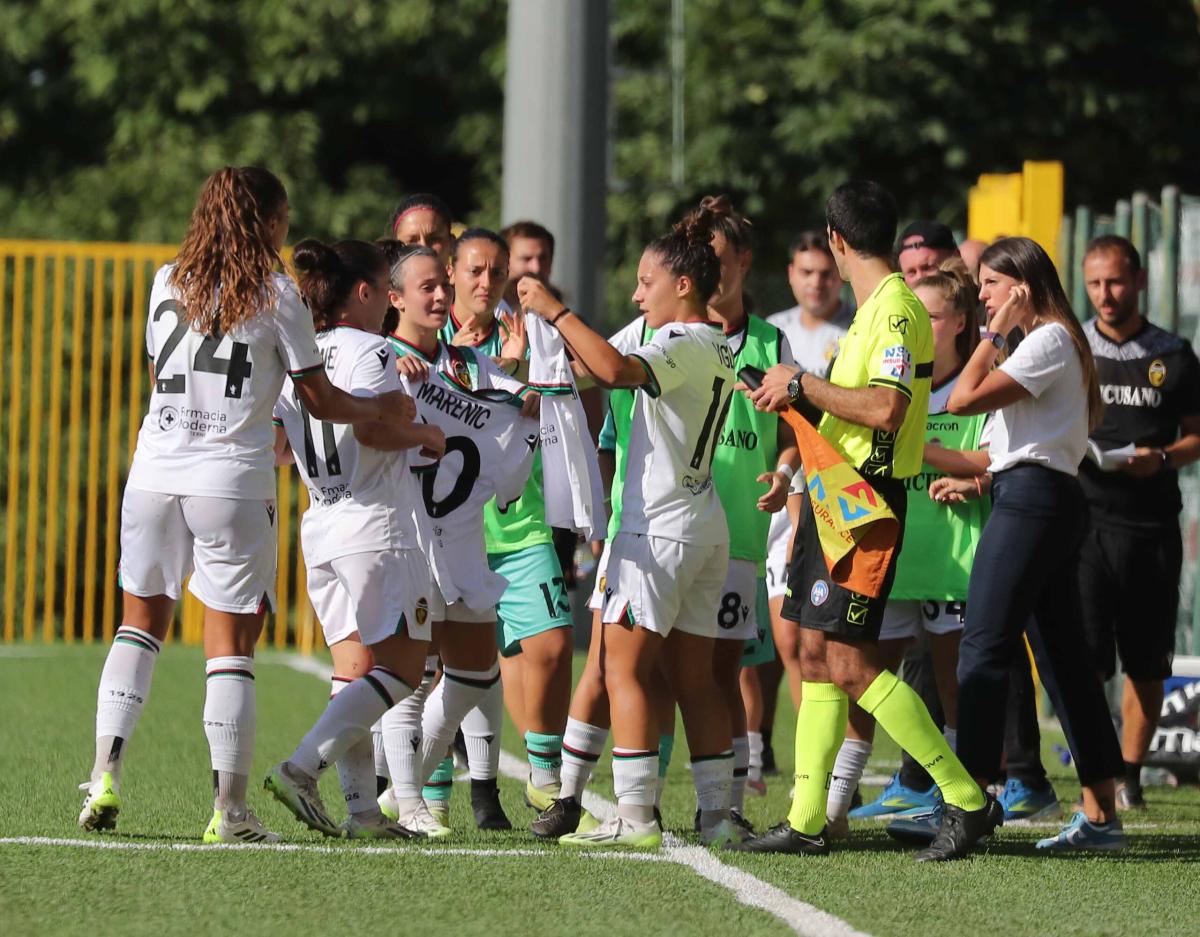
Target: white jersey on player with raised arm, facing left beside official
point(677, 419)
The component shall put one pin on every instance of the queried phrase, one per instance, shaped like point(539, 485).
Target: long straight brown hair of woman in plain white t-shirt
point(1027, 262)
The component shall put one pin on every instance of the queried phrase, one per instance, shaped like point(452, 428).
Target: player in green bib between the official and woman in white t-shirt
point(931, 587)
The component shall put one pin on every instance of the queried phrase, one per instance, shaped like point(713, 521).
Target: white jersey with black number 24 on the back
point(208, 431)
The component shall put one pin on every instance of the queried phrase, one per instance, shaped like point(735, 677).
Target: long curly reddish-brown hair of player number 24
point(224, 271)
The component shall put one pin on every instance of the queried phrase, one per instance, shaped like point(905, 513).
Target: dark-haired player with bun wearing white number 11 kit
point(369, 581)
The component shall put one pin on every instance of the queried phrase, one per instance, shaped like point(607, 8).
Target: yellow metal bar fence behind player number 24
point(73, 395)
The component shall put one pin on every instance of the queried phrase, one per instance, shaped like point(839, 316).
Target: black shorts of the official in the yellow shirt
point(818, 603)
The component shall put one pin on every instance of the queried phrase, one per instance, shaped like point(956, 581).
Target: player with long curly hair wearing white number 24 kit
point(223, 333)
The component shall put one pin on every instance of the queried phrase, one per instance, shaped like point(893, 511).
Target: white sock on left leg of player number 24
point(124, 690)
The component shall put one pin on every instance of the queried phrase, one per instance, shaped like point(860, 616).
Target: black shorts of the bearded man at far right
point(1130, 591)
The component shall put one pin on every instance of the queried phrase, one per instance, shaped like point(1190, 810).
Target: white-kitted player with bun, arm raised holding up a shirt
point(669, 562)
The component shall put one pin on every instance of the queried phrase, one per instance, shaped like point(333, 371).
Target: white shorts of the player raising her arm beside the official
point(663, 585)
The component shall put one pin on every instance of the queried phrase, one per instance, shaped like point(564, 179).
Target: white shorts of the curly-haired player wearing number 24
point(229, 545)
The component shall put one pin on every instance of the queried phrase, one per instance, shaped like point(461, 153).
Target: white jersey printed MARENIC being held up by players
point(490, 451)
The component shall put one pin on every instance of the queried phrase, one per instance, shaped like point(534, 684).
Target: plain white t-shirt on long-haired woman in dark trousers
point(1051, 427)
